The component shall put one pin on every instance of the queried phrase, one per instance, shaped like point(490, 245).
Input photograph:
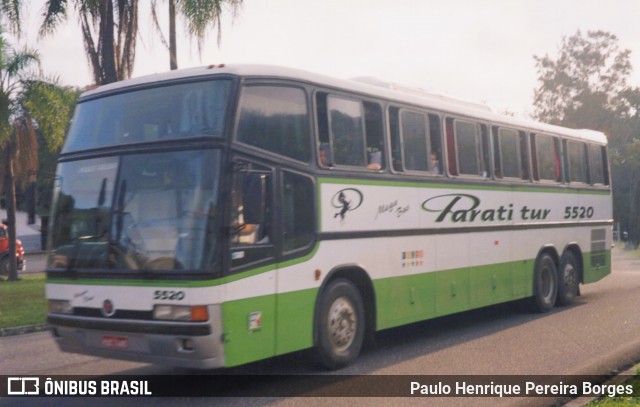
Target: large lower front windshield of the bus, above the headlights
point(137, 212)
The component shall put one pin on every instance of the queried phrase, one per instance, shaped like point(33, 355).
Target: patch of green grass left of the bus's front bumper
point(22, 303)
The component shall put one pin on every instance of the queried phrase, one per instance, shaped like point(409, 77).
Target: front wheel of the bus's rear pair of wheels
point(545, 284)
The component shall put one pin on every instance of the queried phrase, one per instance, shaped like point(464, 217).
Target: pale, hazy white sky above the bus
point(476, 50)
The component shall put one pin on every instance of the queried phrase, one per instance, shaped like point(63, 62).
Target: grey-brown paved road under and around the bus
point(597, 335)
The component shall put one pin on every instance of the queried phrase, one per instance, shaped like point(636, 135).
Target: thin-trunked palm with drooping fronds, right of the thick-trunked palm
point(199, 15)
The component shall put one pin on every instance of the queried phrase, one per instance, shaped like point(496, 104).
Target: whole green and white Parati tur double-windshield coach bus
point(217, 216)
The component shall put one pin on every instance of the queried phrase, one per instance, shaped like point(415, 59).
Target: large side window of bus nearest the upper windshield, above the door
point(276, 119)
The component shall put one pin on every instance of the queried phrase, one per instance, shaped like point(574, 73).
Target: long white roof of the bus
point(372, 88)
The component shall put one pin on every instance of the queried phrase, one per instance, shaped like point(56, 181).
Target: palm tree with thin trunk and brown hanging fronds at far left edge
point(17, 134)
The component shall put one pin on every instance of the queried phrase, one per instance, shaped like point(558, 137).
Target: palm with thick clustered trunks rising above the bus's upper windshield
point(109, 31)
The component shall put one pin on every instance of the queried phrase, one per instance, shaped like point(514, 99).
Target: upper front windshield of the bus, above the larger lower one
point(167, 112)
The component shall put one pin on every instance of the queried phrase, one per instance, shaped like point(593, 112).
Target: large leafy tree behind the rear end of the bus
point(586, 86)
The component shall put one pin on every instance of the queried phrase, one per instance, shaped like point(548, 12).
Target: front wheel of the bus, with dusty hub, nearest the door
point(340, 324)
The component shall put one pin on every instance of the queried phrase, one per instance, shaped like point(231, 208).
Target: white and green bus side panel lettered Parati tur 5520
point(447, 249)
